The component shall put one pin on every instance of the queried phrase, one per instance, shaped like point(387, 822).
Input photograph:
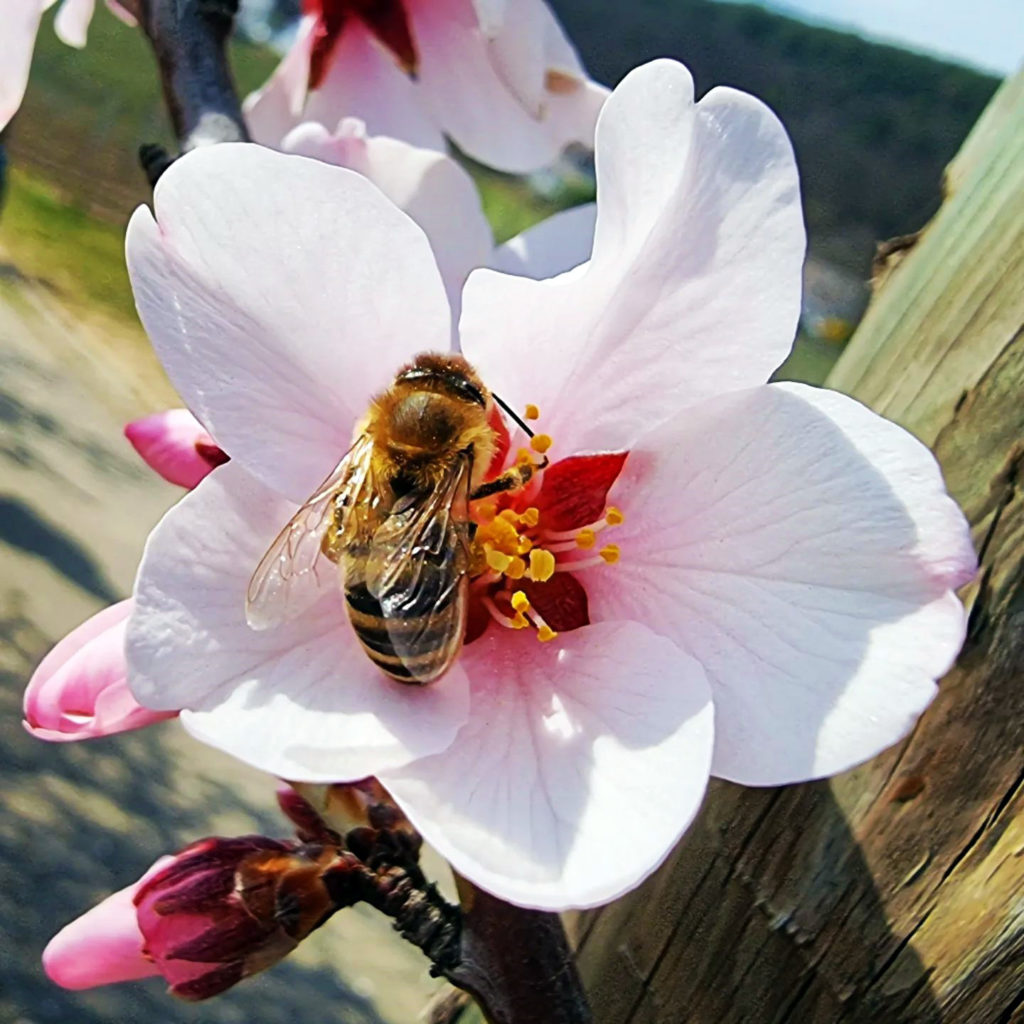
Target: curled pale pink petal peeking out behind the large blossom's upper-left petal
point(429, 186)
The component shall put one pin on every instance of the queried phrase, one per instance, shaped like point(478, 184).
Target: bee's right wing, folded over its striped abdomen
point(417, 572)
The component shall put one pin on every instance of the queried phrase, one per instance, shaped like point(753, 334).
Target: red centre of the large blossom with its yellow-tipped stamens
point(530, 542)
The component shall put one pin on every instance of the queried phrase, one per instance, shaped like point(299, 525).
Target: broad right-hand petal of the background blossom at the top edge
point(471, 97)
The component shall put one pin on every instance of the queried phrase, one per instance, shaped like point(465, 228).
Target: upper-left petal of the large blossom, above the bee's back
point(281, 294)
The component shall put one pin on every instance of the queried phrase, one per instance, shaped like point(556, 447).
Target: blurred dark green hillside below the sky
point(873, 125)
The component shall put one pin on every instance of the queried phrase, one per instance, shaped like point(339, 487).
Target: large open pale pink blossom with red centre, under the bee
point(754, 580)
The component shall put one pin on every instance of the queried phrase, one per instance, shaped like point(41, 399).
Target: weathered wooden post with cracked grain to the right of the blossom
point(897, 892)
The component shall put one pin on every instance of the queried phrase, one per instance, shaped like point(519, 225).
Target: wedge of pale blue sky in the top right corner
point(989, 34)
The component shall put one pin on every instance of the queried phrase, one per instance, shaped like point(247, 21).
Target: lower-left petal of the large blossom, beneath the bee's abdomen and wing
point(301, 701)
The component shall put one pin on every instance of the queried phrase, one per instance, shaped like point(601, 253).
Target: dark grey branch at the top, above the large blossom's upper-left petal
point(190, 40)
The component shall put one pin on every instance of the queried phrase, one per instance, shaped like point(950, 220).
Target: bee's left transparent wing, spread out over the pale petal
point(279, 591)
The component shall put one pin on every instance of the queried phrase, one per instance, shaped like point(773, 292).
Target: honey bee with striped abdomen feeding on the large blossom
point(395, 517)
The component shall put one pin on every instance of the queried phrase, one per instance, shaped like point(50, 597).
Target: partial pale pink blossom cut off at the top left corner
point(21, 24)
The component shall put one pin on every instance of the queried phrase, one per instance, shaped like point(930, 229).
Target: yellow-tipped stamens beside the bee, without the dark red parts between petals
point(513, 544)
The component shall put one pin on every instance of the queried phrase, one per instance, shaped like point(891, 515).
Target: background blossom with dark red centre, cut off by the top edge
point(501, 80)
